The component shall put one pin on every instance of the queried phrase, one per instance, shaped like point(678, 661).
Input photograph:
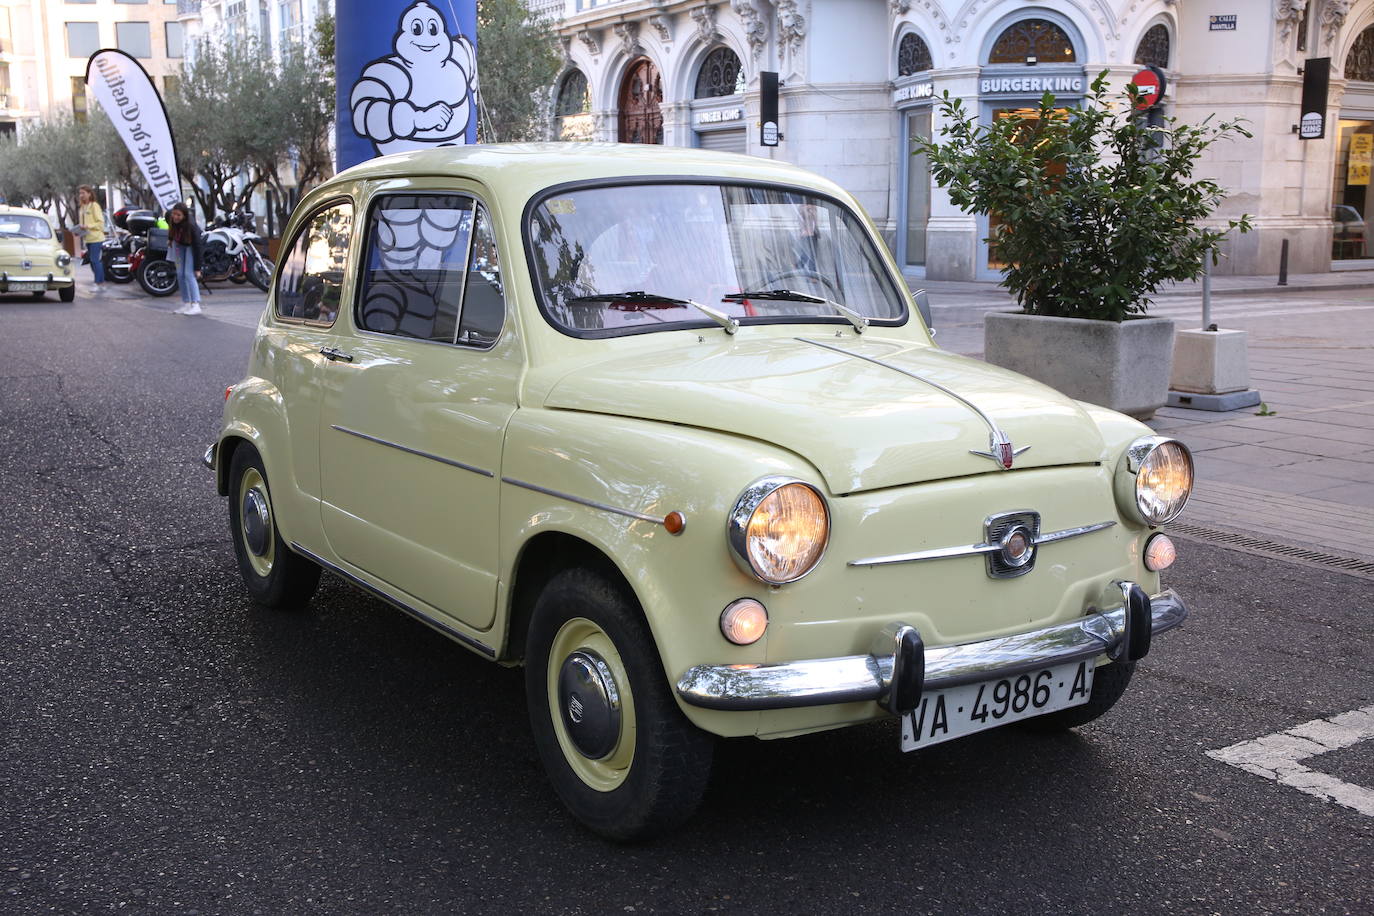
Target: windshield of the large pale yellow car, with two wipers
point(642, 257)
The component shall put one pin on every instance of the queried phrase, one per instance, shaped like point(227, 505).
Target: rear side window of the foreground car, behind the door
point(311, 281)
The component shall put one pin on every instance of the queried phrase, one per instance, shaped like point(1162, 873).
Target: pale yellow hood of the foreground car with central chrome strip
point(868, 414)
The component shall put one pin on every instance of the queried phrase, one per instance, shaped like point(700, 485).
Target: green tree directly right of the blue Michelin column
point(517, 61)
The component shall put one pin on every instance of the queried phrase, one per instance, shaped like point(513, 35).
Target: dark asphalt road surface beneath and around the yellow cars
point(167, 748)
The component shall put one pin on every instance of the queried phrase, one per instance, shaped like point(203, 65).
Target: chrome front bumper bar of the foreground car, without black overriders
point(869, 678)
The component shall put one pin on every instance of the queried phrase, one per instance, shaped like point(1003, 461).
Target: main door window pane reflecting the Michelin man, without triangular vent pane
point(418, 251)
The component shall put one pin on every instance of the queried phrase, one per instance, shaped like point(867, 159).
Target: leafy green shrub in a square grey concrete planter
point(1097, 209)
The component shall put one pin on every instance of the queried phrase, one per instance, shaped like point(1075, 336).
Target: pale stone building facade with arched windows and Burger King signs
point(859, 80)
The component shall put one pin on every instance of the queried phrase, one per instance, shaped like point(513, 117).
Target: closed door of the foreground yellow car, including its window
point(417, 403)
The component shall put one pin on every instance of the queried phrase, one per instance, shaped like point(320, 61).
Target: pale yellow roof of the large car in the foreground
point(527, 168)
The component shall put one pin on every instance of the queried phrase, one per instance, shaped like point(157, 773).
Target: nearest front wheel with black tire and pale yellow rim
point(655, 775)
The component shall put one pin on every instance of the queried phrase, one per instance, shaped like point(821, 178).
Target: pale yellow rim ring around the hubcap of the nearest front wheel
point(609, 772)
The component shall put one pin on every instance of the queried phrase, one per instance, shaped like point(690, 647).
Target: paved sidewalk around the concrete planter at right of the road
point(1302, 476)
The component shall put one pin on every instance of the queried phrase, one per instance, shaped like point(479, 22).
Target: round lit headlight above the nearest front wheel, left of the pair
point(778, 529)
